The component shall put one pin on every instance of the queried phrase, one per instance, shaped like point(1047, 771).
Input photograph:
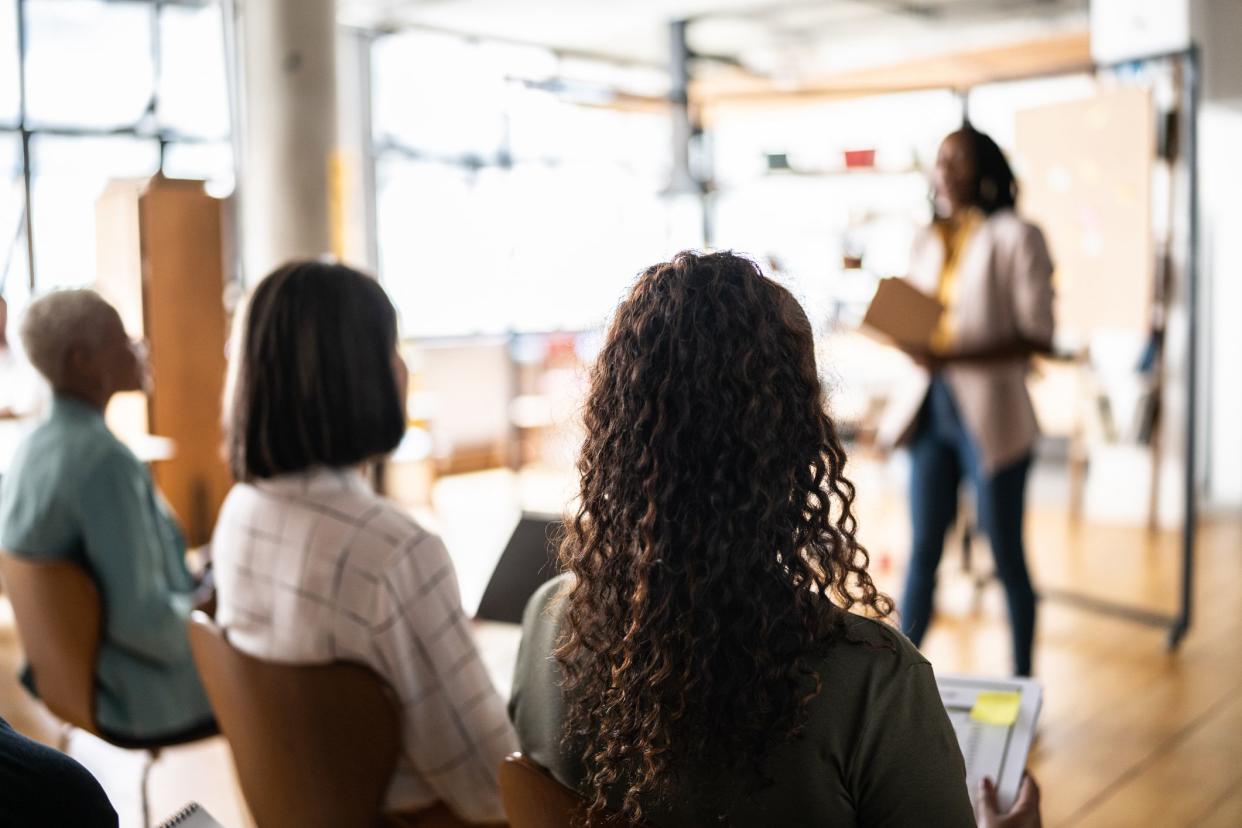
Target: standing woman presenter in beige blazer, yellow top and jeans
point(969, 414)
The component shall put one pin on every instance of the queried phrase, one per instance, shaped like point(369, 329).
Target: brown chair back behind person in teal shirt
point(59, 616)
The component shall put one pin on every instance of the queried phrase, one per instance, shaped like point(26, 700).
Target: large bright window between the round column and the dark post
point(515, 191)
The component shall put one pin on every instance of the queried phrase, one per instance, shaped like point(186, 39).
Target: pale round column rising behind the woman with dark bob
point(290, 131)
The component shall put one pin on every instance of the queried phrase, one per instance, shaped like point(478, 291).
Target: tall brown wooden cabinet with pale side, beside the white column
point(161, 263)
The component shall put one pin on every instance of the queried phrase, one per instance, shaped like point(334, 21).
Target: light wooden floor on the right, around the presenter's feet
point(1131, 734)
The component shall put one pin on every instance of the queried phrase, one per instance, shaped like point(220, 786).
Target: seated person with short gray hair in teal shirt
point(78, 493)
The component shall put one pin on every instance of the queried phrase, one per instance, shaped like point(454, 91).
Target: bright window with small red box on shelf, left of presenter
point(832, 227)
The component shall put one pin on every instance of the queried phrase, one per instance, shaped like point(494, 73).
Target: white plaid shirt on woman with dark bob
point(316, 568)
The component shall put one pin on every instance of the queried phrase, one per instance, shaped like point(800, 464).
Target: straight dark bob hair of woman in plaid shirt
point(314, 382)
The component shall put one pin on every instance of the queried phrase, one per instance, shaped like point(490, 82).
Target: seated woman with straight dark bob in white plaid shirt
point(312, 567)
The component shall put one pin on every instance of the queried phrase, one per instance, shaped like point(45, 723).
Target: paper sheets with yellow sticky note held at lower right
point(994, 721)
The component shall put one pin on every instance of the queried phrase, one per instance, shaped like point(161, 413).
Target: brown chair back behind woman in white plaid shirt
point(315, 745)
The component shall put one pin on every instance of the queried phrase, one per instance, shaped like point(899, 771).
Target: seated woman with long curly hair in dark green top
point(699, 664)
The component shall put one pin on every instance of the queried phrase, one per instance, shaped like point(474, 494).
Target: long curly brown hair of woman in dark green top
point(715, 520)
